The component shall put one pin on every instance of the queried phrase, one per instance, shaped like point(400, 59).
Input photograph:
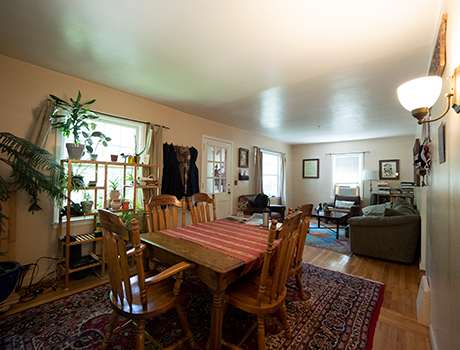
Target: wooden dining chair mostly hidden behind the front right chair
point(296, 269)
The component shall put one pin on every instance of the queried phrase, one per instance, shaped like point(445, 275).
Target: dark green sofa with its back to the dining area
point(388, 231)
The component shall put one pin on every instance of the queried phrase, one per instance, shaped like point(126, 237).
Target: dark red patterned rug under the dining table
point(341, 313)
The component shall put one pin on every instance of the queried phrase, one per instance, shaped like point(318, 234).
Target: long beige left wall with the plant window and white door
point(23, 86)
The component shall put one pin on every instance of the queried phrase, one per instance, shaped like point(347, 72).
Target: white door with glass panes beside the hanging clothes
point(217, 170)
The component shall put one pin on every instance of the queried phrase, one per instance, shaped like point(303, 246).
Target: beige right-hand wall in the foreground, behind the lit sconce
point(443, 204)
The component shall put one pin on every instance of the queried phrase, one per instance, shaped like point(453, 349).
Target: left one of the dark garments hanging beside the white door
point(171, 181)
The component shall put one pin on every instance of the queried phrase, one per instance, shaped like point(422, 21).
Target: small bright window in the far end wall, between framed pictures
point(347, 170)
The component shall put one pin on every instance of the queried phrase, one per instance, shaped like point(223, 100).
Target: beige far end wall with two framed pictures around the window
point(319, 190)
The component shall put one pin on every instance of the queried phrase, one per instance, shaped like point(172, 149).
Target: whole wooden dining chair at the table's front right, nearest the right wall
point(263, 293)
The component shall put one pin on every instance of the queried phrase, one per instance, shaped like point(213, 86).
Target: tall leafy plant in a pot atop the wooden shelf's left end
point(75, 121)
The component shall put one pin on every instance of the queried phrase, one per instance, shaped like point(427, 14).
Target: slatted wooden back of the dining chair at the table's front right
point(287, 237)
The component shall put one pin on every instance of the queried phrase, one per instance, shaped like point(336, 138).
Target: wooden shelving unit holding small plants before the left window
point(101, 174)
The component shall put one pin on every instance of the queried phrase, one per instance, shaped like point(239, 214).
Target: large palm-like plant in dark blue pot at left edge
point(33, 170)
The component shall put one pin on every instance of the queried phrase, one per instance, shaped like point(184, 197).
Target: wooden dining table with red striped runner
point(222, 251)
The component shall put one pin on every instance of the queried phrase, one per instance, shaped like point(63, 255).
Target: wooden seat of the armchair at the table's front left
point(159, 299)
